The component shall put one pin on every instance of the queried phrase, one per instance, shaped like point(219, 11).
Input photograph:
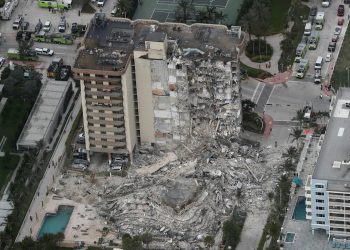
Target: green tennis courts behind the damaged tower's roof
point(164, 10)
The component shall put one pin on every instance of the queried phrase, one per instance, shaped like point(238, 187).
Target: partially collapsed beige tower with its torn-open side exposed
point(147, 82)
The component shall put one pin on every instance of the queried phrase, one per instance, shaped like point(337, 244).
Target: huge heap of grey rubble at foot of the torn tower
point(192, 196)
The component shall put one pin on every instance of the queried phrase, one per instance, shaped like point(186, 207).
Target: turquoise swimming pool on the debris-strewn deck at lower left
point(56, 223)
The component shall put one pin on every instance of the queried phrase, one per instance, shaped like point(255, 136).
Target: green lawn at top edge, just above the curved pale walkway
point(278, 18)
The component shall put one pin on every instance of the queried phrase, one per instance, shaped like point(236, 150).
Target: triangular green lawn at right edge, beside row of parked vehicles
point(340, 74)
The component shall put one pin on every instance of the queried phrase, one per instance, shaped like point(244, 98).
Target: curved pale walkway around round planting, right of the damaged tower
point(274, 41)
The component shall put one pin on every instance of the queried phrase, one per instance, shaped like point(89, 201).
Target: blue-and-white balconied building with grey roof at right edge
point(328, 189)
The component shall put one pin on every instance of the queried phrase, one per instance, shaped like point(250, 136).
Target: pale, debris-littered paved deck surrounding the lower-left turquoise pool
point(82, 226)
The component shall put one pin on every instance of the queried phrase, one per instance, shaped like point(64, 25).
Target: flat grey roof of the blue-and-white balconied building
point(333, 163)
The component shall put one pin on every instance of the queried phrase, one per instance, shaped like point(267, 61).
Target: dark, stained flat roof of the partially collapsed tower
point(109, 42)
